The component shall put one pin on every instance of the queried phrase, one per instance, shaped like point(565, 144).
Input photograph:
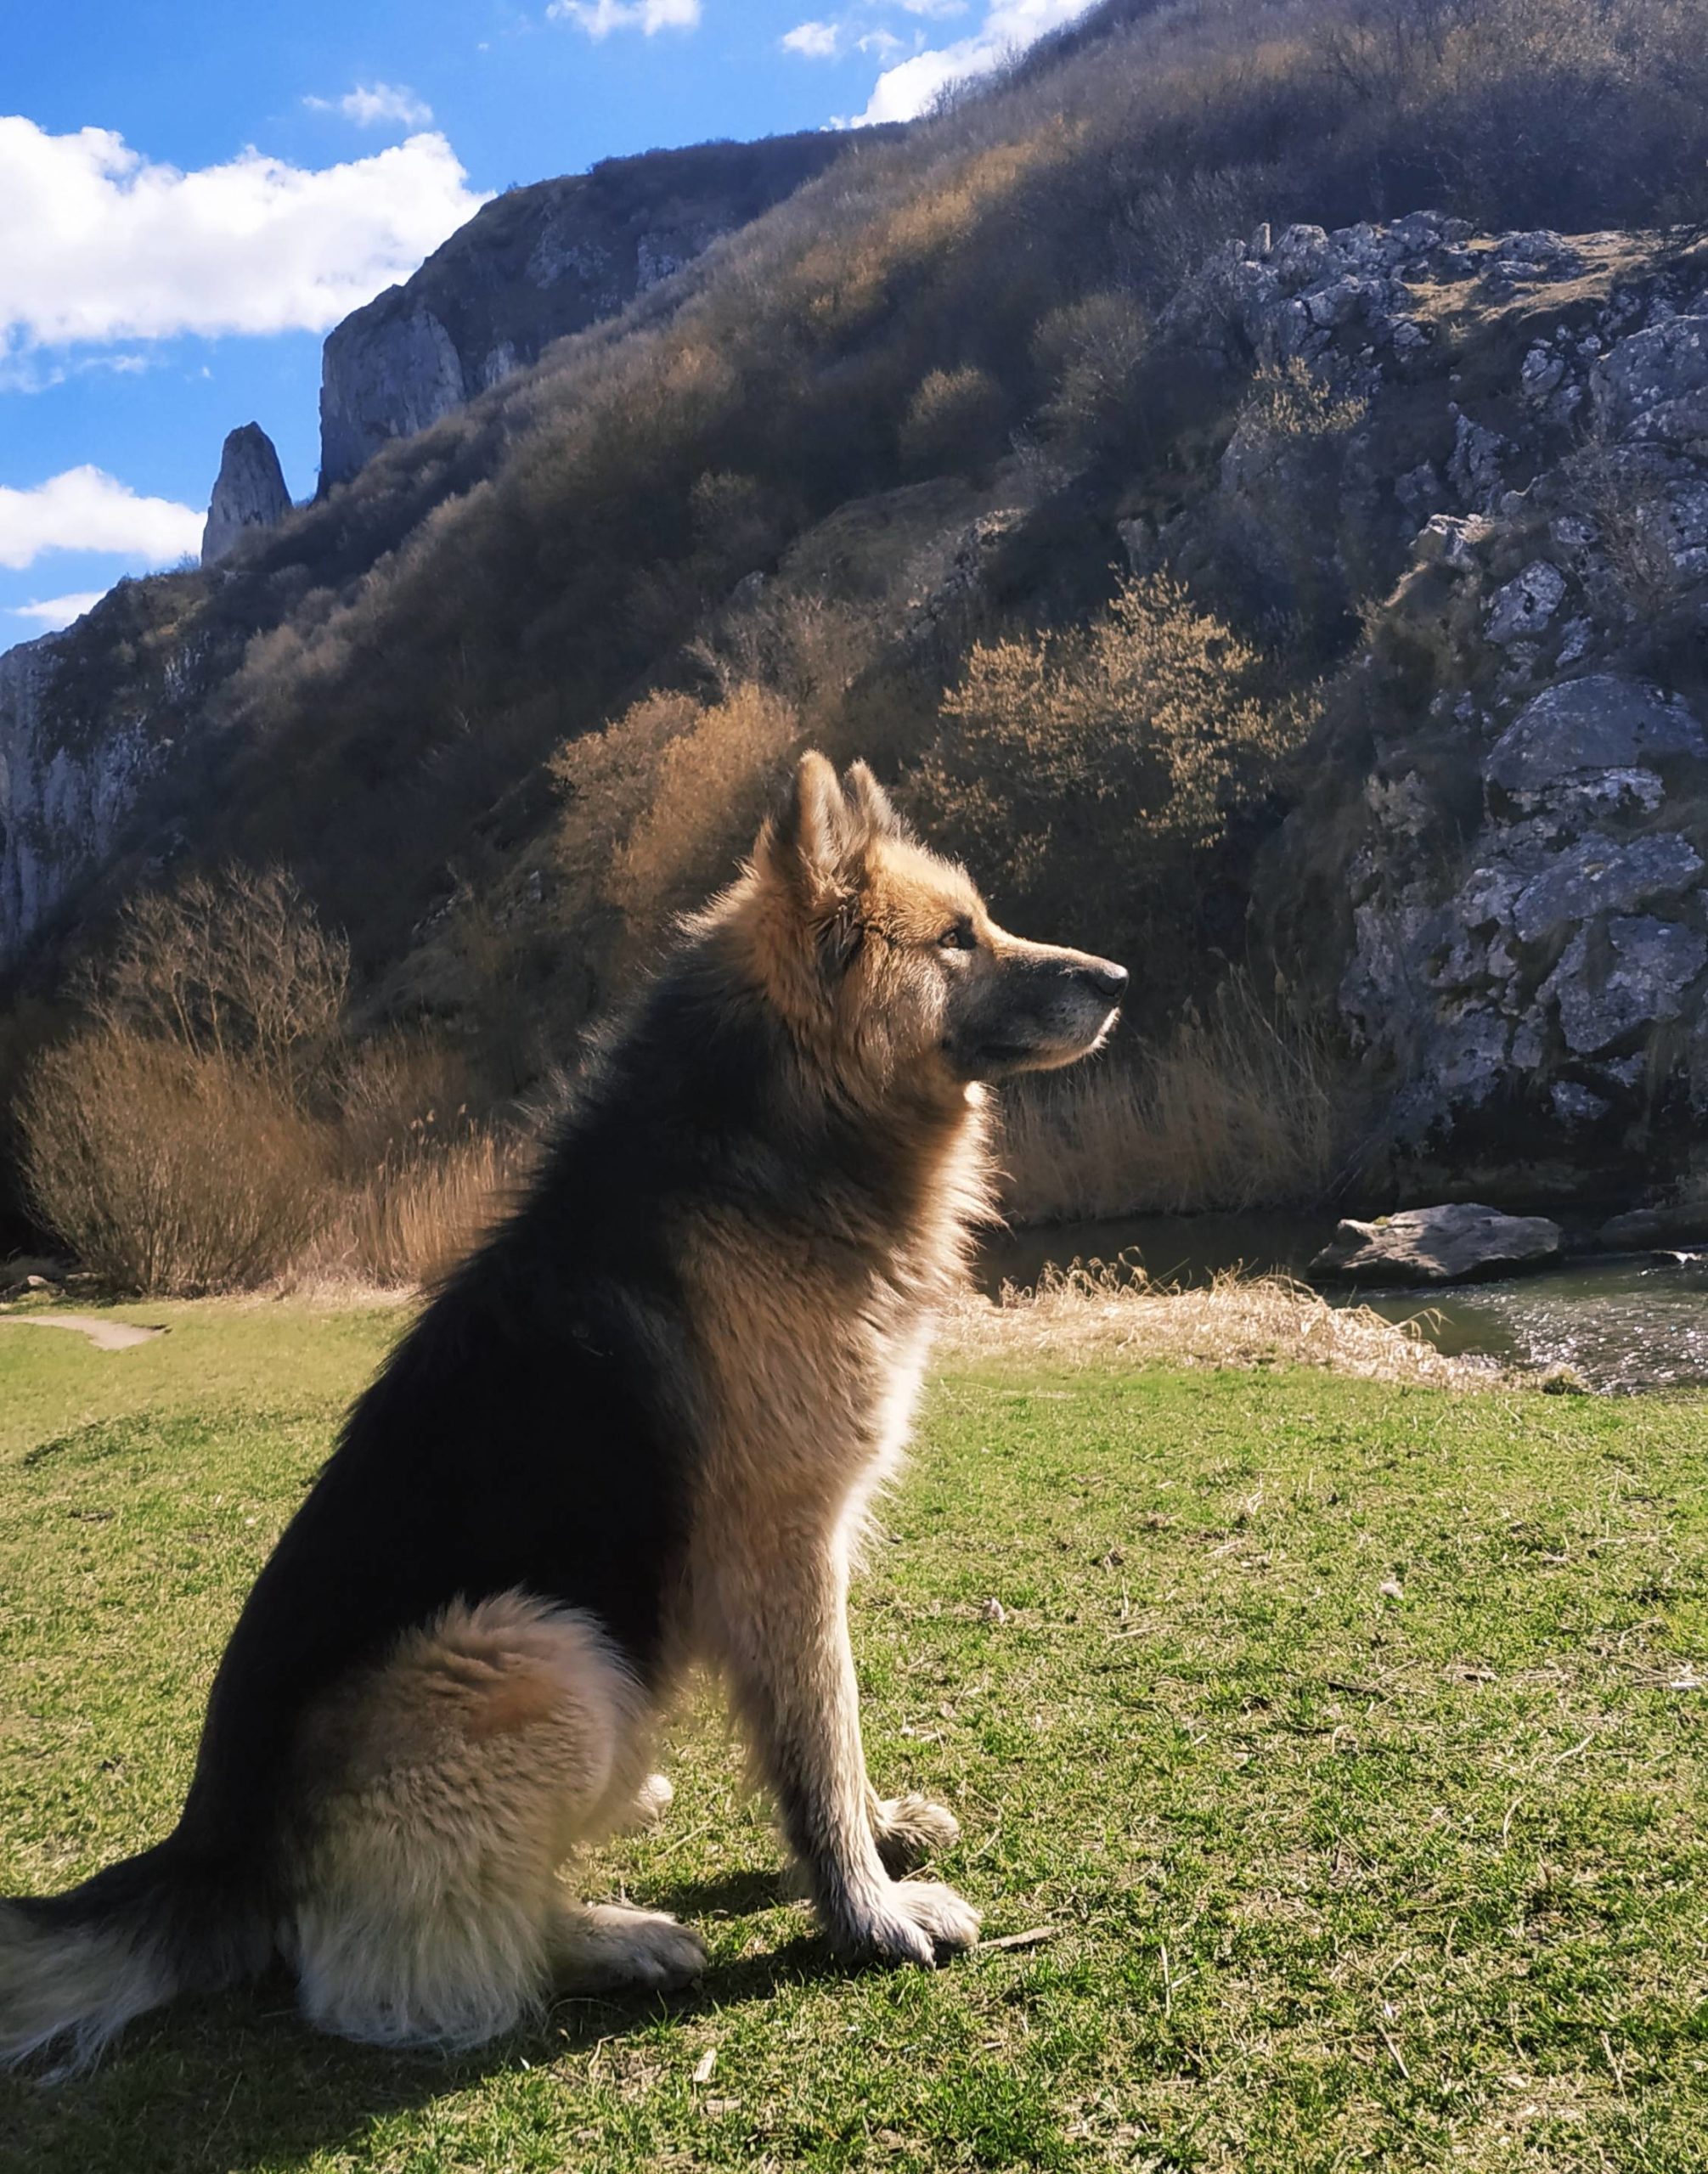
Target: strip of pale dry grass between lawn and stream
point(1114, 1310)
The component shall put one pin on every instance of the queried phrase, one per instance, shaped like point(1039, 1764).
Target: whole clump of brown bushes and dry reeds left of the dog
point(212, 1127)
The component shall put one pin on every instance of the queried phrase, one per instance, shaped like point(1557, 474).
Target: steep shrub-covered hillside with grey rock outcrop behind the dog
point(1244, 477)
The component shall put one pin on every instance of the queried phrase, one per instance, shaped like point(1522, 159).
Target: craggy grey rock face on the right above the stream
point(1503, 851)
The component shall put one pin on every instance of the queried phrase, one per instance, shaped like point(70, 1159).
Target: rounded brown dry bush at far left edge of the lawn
point(171, 1171)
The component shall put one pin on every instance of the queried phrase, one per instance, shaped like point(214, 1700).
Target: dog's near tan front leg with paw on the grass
point(786, 1636)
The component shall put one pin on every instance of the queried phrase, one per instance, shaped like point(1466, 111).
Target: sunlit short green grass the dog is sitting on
point(1344, 1734)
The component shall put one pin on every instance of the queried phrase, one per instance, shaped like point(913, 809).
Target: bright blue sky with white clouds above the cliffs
point(192, 192)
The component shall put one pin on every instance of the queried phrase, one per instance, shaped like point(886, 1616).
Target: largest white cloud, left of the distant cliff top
point(105, 245)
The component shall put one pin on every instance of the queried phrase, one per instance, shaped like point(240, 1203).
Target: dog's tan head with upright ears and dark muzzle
point(888, 966)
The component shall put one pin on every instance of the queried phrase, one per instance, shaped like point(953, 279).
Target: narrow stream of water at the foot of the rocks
point(1622, 1323)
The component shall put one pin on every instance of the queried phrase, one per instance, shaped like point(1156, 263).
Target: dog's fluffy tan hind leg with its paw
point(449, 1786)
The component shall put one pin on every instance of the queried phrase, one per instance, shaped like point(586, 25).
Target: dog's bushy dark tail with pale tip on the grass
point(75, 1969)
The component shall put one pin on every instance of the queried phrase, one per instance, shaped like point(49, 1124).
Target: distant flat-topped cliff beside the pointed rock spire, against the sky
point(527, 271)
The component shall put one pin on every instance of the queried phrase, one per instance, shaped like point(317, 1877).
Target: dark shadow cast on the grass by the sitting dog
point(240, 2082)
